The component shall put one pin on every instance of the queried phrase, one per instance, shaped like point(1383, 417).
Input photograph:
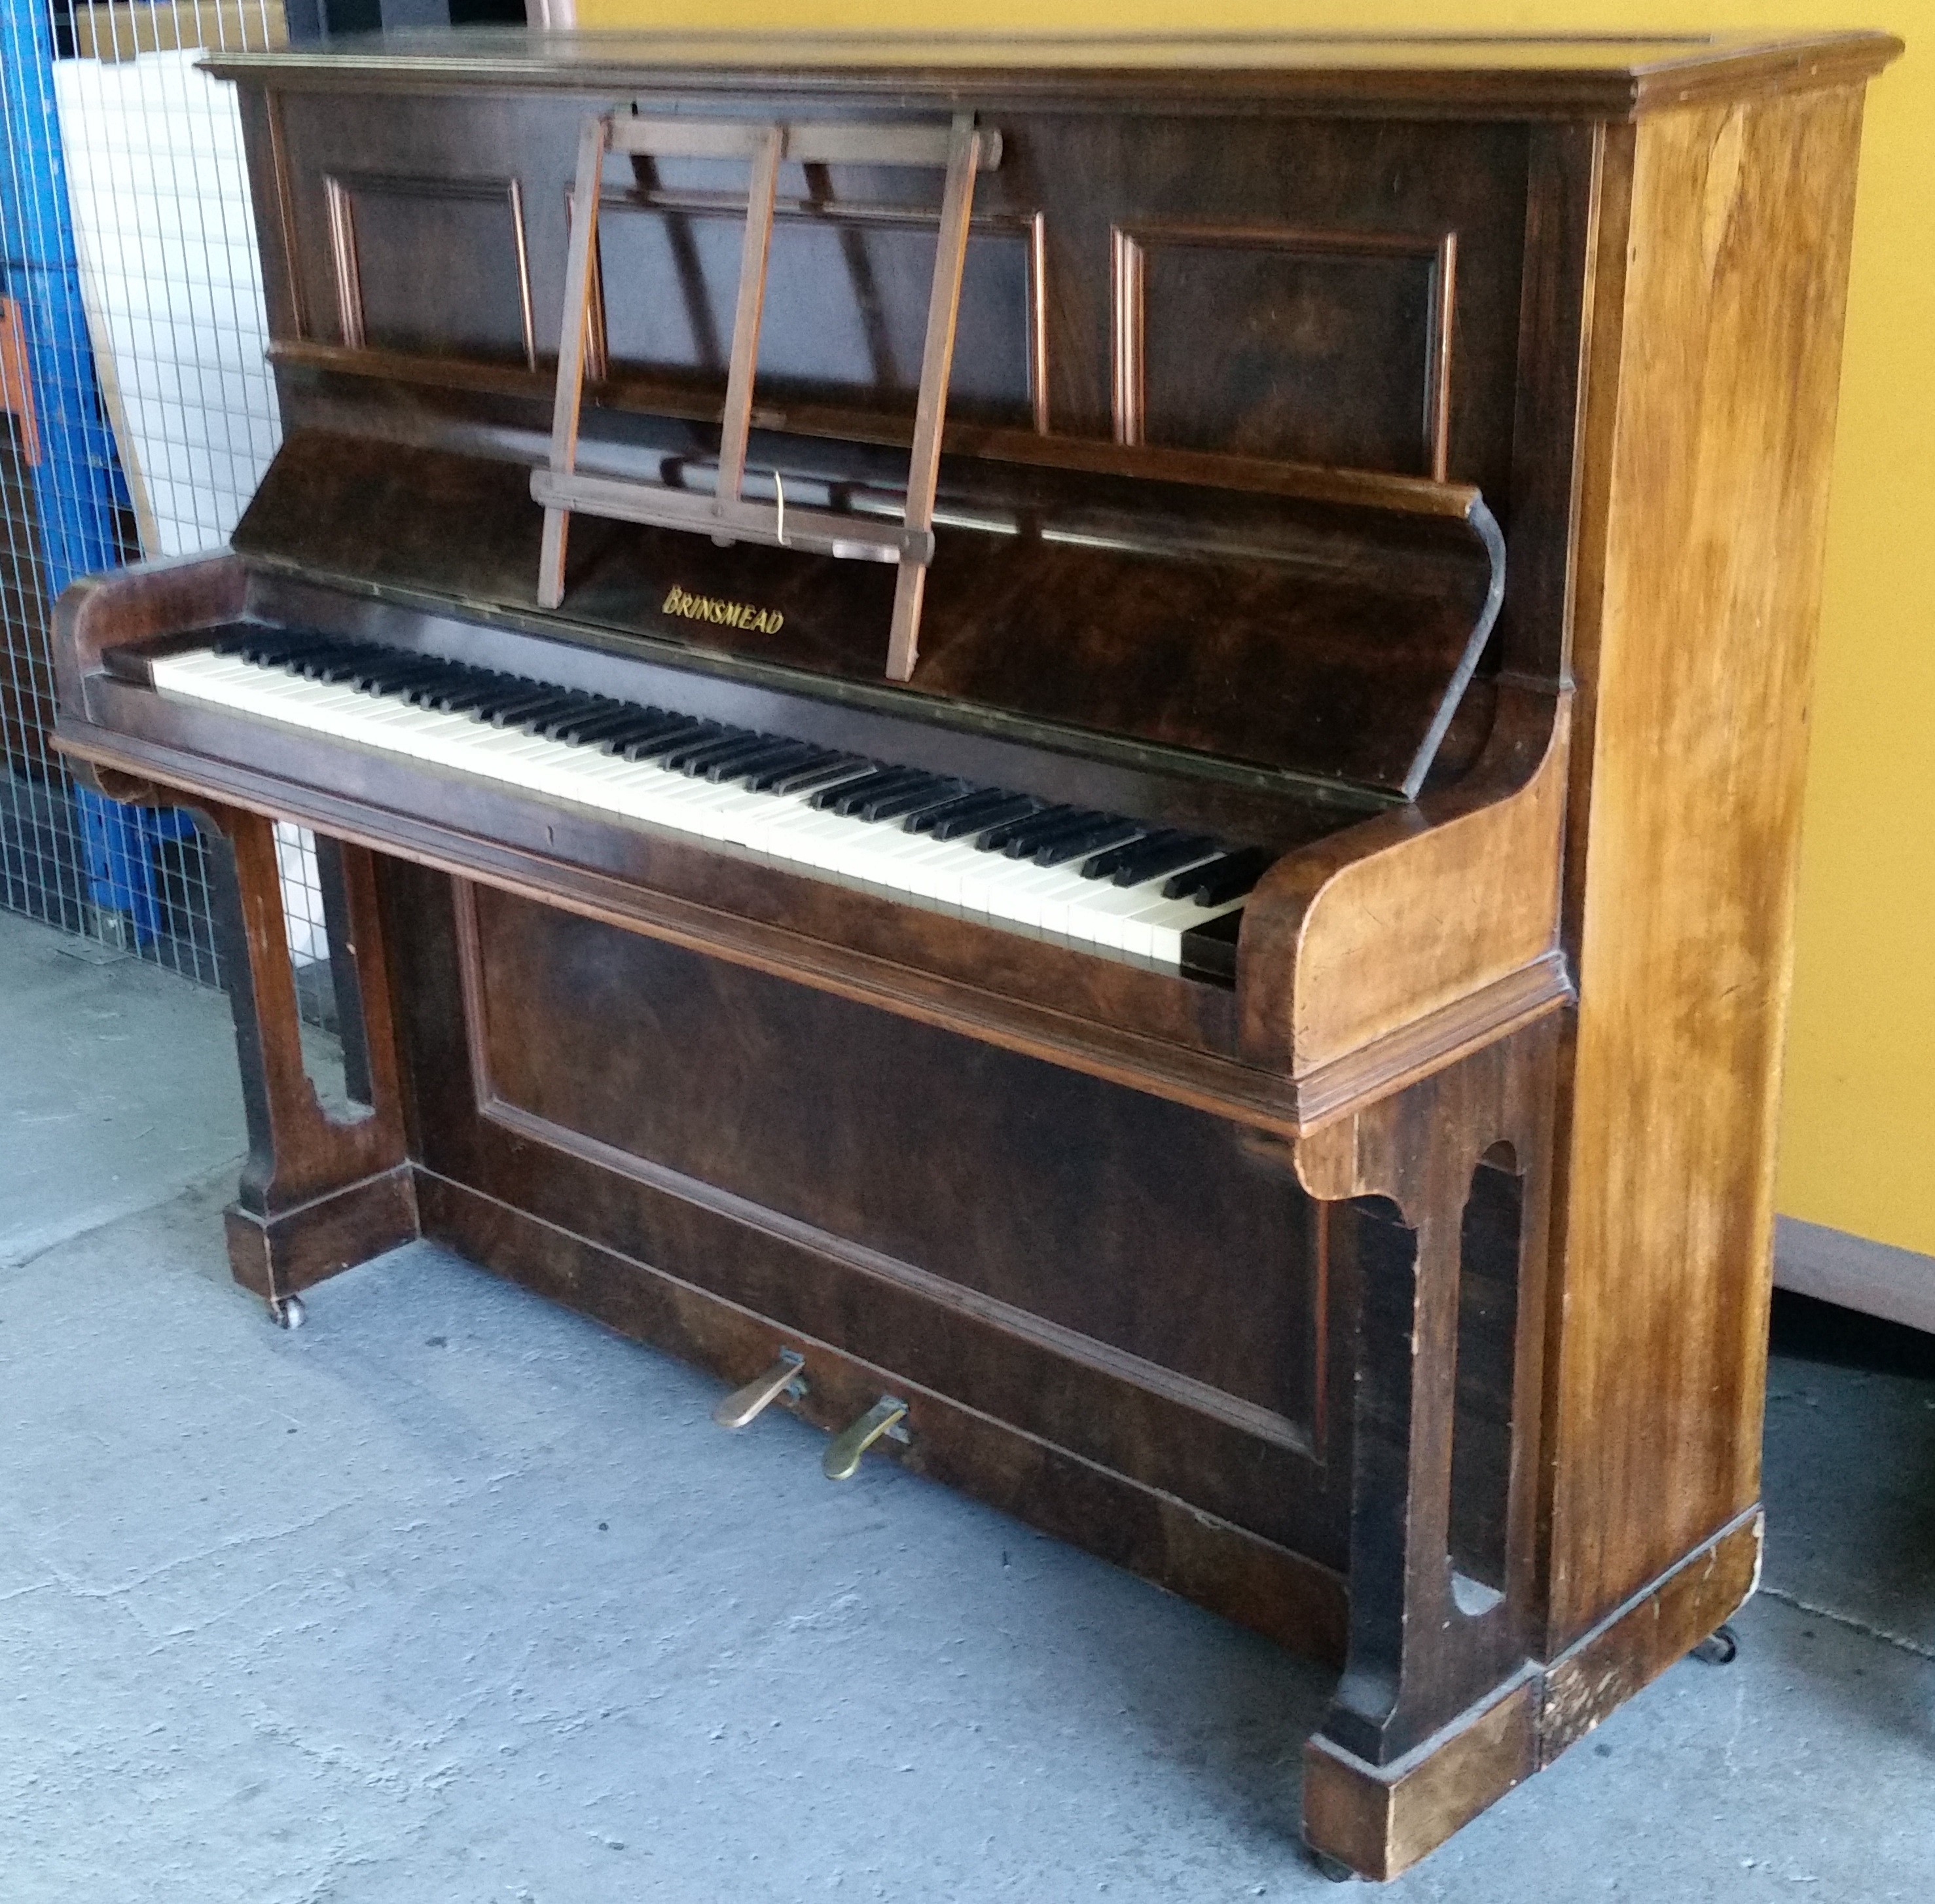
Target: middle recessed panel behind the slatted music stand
point(847, 307)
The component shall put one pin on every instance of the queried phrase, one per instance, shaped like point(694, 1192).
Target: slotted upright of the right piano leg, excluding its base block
point(1425, 1648)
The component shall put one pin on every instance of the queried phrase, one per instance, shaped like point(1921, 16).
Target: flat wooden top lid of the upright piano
point(1468, 76)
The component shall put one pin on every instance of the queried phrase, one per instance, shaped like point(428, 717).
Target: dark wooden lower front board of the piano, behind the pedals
point(1108, 1313)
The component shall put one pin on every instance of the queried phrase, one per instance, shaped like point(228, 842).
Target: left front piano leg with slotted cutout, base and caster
point(320, 1191)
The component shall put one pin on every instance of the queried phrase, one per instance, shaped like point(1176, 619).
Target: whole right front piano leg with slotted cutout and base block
point(1437, 1713)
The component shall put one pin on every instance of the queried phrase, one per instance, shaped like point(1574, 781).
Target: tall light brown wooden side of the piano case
point(1713, 413)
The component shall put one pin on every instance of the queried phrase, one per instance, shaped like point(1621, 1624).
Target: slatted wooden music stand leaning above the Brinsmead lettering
point(729, 516)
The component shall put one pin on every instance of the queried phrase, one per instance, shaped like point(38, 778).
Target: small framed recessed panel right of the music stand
point(1309, 349)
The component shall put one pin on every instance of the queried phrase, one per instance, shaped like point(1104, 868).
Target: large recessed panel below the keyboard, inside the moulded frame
point(1129, 1224)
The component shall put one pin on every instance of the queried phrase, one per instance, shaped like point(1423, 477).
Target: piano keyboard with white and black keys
point(1112, 885)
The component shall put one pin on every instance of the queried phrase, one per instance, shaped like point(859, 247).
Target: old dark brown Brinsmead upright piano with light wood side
point(1081, 756)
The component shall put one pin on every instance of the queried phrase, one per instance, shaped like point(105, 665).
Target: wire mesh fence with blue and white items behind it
point(136, 419)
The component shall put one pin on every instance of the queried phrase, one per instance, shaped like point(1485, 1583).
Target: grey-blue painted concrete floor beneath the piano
point(456, 1597)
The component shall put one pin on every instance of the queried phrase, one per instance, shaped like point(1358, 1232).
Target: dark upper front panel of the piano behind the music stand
point(1301, 289)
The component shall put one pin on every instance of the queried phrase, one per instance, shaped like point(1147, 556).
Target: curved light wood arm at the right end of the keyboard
point(1400, 916)
